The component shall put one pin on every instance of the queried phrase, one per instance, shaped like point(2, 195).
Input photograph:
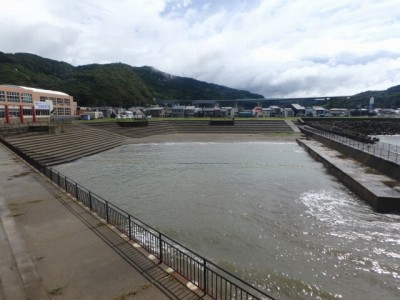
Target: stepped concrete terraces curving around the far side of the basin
point(79, 140)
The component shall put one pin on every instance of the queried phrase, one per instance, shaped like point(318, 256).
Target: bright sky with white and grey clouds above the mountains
point(276, 48)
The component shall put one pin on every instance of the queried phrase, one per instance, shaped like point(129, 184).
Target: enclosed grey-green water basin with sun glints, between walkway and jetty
point(266, 211)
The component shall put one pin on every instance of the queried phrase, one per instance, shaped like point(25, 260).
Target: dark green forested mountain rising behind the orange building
point(114, 84)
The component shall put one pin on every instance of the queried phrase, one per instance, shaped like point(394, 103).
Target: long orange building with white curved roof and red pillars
point(19, 104)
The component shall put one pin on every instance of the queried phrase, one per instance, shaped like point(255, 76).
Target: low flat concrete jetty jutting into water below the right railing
point(380, 191)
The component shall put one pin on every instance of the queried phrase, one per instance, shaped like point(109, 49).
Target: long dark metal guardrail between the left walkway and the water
point(207, 276)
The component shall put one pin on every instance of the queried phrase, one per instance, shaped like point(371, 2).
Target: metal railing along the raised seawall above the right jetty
point(379, 149)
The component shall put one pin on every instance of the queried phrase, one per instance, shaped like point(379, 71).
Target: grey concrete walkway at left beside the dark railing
point(53, 248)
